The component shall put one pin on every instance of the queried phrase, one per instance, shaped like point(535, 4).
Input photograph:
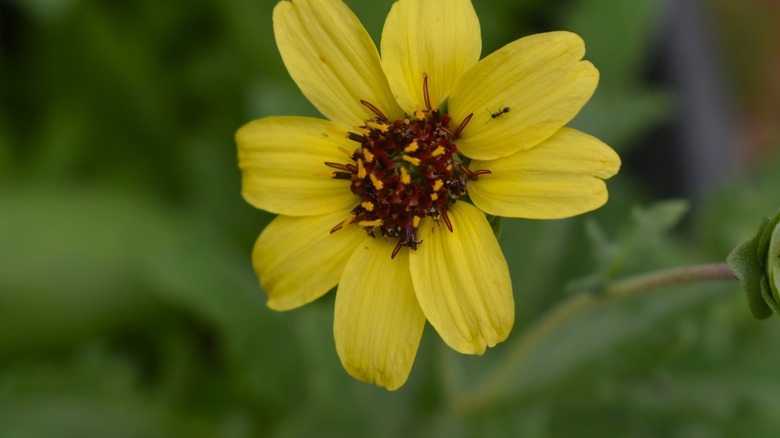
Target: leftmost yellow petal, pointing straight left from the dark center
point(282, 166)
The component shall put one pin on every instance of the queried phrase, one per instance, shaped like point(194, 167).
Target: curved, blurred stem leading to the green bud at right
point(578, 304)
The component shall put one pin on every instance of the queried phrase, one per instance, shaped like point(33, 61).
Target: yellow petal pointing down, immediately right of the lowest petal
point(462, 281)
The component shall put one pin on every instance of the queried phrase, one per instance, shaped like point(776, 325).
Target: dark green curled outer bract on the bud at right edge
point(744, 263)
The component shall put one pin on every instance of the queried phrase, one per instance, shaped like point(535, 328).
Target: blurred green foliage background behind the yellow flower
point(128, 305)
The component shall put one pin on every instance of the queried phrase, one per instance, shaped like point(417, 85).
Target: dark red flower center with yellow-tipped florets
point(402, 171)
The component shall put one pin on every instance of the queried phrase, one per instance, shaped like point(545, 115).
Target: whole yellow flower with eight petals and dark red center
point(387, 197)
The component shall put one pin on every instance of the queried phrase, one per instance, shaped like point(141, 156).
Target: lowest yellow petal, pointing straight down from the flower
point(378, 323)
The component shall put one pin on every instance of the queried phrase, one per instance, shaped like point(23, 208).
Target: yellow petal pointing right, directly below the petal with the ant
point(561, 177)
